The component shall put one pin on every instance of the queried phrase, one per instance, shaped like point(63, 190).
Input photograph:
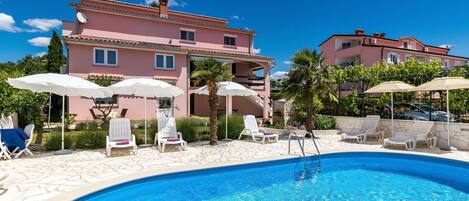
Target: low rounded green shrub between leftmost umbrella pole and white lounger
point(91, 139)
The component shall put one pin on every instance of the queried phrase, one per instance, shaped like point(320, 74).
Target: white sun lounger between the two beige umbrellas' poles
point(418, 132)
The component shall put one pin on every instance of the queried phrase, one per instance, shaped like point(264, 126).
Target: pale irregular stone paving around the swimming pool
point(46, 175)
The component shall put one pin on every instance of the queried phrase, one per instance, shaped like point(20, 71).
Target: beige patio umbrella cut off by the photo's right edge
point(446, 84)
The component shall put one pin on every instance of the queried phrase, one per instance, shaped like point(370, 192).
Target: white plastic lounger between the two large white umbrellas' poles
point(119, 130)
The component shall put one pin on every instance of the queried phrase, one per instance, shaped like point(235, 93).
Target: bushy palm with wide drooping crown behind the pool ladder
point(308, 78)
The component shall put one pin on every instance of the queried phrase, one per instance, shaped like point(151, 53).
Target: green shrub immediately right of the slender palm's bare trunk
point(235, 126)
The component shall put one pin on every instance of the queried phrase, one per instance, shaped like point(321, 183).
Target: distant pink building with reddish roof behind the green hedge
point(359, 48)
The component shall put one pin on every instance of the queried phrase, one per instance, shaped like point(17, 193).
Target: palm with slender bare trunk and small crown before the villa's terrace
point(210, 72)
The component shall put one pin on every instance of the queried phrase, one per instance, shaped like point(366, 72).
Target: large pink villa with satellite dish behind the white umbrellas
point(121, 40)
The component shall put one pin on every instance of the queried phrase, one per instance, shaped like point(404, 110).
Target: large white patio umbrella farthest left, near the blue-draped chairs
point(63, 85)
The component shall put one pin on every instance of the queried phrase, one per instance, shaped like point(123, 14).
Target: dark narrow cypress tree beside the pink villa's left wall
point(55, 56)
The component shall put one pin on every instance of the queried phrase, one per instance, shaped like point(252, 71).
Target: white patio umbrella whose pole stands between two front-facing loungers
point(145, 87)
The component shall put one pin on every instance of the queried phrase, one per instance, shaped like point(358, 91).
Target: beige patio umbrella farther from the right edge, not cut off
point(391, 87)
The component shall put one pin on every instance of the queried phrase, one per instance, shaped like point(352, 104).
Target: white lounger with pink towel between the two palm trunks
point(252, 129)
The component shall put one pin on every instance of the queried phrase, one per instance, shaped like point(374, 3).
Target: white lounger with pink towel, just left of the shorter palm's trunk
point(169, 135)
